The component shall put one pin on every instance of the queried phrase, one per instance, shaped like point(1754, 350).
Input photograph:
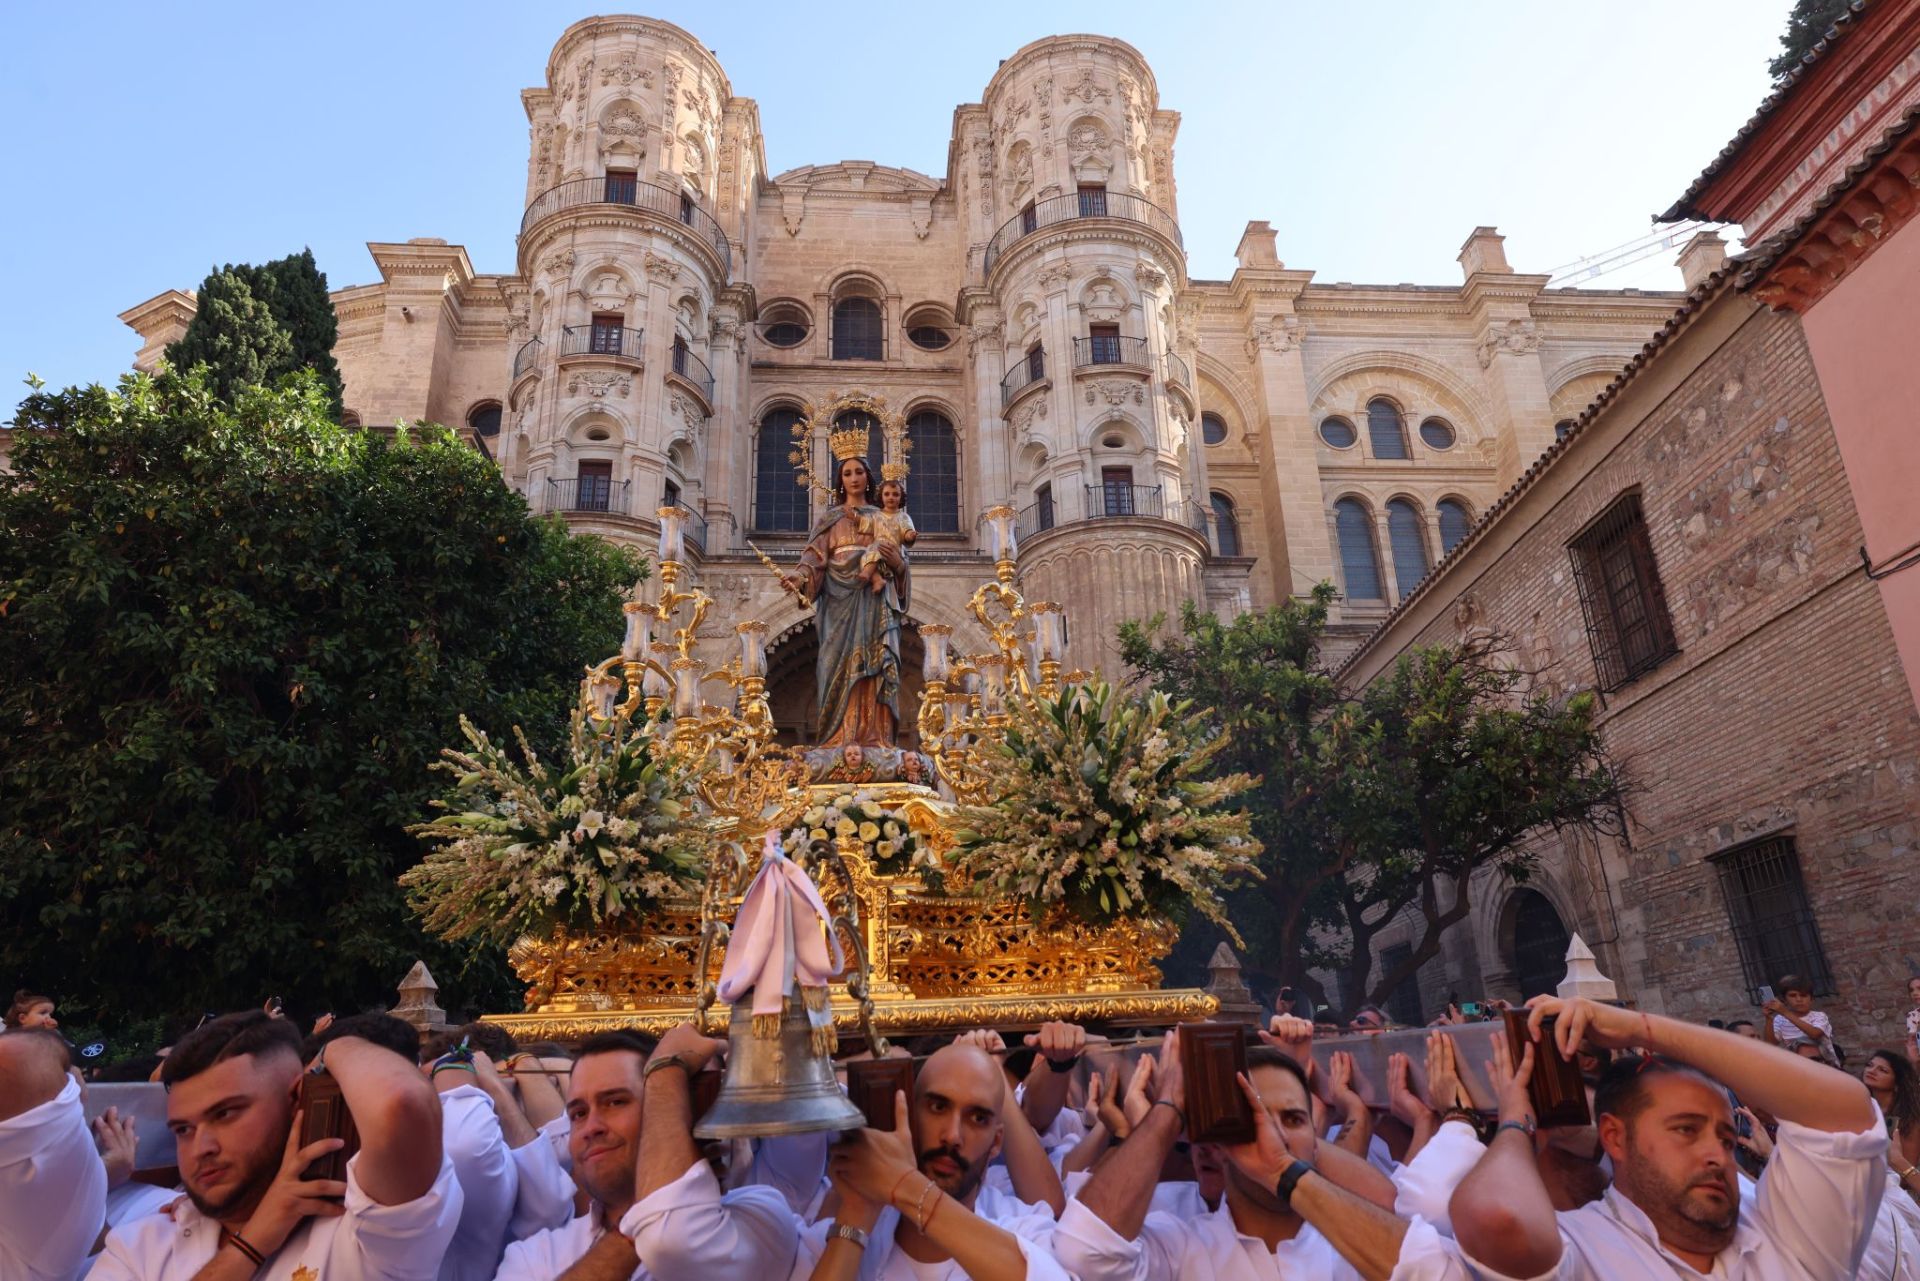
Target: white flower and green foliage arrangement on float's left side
point(525, 848)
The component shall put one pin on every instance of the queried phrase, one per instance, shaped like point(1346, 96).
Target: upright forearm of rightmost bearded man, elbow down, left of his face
point(1502, 1213)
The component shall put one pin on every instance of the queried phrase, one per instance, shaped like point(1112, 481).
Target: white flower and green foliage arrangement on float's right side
point(1105, 804)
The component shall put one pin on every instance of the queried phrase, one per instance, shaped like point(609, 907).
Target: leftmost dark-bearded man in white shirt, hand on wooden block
point(231, 1092)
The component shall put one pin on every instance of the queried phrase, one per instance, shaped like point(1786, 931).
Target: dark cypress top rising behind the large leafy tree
point(256, 324)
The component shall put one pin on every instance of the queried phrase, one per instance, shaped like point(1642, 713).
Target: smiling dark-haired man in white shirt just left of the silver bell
point(656, 1205)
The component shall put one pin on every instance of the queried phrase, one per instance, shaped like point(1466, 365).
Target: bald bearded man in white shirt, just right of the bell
point(907, 1197)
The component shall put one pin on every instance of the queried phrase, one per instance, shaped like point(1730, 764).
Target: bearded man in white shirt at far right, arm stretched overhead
point(1668, 1126)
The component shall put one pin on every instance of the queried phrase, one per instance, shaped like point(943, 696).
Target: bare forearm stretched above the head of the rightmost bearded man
point(1792, 1088)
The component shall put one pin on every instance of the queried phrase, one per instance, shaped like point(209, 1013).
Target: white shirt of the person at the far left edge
point(53, 1190)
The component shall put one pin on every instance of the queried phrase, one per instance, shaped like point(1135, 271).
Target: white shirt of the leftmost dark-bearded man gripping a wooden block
point(368, 1244)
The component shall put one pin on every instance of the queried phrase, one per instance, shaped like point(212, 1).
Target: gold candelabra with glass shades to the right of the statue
point(965, 710)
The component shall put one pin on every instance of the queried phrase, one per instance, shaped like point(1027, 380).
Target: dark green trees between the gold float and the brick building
point(1381, 800)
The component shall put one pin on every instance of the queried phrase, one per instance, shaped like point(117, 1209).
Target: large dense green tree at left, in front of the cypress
point(235, 639)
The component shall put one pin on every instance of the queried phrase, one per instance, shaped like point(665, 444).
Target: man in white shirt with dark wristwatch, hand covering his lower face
point(1282, 1215)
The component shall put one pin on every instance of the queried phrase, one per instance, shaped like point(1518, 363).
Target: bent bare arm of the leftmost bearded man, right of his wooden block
point(396, 1115)
